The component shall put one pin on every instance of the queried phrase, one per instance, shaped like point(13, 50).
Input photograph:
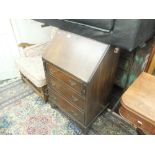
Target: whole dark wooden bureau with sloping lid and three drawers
point(80, 73)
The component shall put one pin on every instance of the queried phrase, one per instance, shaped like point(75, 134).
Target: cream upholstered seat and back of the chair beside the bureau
point(31, 65)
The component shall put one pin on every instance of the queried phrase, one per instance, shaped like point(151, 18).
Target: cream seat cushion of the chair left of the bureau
point(32, 68)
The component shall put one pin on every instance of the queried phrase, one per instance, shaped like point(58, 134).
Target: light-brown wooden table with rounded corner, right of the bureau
point(138, 103)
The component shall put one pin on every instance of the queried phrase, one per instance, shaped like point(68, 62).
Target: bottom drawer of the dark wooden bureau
point(63, 104)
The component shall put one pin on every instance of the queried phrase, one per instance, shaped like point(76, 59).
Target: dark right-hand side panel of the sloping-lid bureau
point(100, 85)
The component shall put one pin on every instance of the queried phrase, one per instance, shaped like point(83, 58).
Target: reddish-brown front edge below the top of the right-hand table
point(137, 121)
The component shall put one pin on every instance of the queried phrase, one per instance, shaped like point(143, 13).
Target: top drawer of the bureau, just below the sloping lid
point(67, 78)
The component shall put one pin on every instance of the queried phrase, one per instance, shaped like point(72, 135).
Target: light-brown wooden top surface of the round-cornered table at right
point(140, 96)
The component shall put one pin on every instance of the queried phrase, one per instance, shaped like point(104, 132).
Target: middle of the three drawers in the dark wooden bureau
point(68, 93)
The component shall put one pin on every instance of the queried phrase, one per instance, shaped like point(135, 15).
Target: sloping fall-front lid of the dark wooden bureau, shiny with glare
point(75, 54)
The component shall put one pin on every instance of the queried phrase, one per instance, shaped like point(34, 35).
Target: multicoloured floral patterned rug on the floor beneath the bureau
point(24, 112)
